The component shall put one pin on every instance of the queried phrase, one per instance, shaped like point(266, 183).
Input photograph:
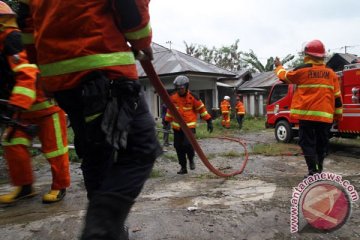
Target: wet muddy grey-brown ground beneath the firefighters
point(199, 205)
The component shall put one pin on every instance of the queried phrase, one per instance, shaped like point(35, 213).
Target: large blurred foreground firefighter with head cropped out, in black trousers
point(87, 61)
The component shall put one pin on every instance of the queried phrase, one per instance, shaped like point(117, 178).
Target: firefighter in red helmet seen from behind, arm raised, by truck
point(316, 103)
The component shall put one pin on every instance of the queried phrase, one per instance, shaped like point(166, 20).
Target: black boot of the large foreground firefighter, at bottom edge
point(106, 216)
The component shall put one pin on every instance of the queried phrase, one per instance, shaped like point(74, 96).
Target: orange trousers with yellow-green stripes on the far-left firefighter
point(53, 138)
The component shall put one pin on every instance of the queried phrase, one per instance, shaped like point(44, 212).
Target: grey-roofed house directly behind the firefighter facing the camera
point(170, 63)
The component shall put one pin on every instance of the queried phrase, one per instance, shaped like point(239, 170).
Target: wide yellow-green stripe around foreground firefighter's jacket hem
point(86, 63)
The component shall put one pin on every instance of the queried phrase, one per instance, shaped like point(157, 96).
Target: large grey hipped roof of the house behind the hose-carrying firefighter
point(172, 62)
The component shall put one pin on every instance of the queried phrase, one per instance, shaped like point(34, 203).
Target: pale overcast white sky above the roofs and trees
point(268, 27)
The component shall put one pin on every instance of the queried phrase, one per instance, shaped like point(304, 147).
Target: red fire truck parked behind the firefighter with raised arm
point(286, 128)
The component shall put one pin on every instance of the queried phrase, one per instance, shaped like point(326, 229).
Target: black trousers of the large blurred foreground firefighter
point(124, 175)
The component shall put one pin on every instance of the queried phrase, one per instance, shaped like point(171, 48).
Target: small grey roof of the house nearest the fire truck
point(261, 80)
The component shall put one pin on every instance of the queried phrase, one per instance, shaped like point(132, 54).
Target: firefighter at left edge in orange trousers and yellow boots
point(29, 106)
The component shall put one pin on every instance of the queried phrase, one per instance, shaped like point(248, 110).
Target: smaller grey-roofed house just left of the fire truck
point(255, 90)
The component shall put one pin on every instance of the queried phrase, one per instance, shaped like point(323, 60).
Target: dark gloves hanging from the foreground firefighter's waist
point(120, 111)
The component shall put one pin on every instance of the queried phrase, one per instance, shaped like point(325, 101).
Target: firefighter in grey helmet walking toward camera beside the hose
point(189, 106)
